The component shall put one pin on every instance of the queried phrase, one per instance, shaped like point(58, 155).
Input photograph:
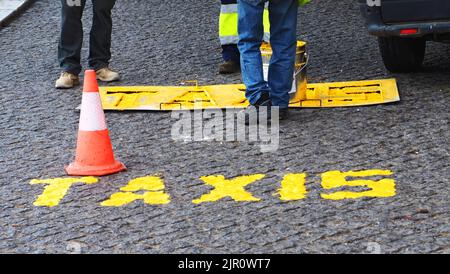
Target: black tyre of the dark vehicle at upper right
point(402, 54)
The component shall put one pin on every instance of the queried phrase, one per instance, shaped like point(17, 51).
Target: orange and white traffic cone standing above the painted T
point(94, 155)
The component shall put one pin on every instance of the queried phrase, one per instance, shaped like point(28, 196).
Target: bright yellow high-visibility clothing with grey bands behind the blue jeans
point(228, 24)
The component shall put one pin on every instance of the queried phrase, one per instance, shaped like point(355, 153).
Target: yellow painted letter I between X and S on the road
point(293, 187)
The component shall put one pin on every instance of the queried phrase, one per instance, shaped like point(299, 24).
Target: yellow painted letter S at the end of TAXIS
point(379, 188)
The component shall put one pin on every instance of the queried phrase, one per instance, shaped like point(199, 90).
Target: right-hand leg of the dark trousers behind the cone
point(100, 35)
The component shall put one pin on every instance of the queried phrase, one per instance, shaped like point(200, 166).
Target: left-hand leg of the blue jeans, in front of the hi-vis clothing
point(251, 33)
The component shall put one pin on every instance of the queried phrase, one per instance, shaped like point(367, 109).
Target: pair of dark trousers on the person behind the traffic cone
point(71, 39)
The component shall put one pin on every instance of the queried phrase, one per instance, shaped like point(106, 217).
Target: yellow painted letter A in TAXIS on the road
point(154, 195)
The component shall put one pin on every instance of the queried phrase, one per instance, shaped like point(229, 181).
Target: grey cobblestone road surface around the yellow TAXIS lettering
point(163, 42)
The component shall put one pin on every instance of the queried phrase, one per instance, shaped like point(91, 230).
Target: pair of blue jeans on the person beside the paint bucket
point(283, 30)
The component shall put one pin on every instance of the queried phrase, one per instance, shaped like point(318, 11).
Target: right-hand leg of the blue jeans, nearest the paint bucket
point(283, 19)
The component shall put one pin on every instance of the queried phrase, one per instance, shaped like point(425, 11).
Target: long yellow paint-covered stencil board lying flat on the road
point(337, 94)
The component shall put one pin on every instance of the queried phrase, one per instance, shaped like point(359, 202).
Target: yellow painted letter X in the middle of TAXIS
point(233, 188)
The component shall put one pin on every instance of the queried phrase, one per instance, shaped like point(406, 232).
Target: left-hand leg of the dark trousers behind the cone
point(71, 37)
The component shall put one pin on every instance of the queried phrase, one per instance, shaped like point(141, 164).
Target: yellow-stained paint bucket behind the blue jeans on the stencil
point(298, 91)
